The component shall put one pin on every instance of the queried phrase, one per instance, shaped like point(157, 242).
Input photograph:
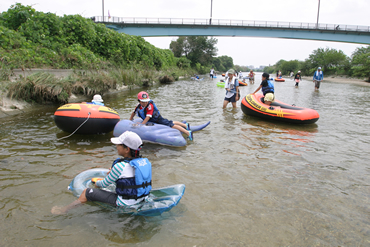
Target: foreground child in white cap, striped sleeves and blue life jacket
point(131, 174)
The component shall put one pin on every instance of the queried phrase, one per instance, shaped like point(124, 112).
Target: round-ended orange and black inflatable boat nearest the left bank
point(92, 119)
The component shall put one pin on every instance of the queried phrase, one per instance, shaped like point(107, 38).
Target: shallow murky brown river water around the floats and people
point(249, 182)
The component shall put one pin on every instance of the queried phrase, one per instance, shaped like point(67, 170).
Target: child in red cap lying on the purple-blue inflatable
point(148, 111)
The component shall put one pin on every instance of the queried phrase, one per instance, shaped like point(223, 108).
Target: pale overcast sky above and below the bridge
point(245, 51)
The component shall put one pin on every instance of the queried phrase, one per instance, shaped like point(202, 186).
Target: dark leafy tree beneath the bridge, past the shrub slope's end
point(198, 49)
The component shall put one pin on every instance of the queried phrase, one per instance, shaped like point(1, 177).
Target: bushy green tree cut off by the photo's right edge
point(361, 62)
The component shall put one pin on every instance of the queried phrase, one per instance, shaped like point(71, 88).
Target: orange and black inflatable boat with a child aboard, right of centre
point(253, 105)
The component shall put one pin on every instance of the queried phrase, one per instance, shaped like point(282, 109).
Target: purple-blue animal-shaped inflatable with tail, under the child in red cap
point(155, 133)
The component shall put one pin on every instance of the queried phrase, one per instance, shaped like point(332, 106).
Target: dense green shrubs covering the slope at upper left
point(37, 39)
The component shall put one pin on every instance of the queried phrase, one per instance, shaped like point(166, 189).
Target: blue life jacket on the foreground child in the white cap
point(138, 186)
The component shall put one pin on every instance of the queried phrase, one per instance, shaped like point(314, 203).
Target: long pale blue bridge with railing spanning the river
point(156, 27)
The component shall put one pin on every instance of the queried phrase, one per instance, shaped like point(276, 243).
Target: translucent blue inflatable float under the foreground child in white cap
point(159, 200)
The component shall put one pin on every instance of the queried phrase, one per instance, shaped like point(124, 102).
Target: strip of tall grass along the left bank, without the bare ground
point(44, 87)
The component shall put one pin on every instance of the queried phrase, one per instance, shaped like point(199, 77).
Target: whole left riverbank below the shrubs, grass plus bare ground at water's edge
point(60, 86)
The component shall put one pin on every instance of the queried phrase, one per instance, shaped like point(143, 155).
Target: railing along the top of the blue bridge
point(231, 23)
